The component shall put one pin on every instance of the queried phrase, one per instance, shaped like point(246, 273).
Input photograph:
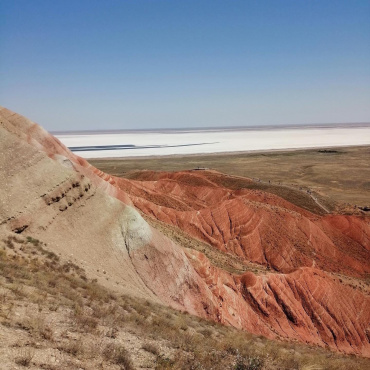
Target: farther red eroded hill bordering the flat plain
point(251, 224)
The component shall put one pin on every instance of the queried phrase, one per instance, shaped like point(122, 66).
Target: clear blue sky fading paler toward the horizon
point(114, 64)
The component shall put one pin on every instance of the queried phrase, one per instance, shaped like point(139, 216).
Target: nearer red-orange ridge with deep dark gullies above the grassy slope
point(307, 305)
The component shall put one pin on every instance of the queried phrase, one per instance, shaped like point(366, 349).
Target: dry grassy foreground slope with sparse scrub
point(47, 305)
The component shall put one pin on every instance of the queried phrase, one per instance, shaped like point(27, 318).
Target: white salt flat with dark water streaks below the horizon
point(147, 143)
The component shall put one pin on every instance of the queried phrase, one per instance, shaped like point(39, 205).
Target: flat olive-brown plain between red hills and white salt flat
point(334, 175)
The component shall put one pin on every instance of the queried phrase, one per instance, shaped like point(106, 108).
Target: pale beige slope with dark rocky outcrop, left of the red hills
point(63, 203)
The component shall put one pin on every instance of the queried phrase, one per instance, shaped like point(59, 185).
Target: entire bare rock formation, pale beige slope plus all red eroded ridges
point(90, 218)
